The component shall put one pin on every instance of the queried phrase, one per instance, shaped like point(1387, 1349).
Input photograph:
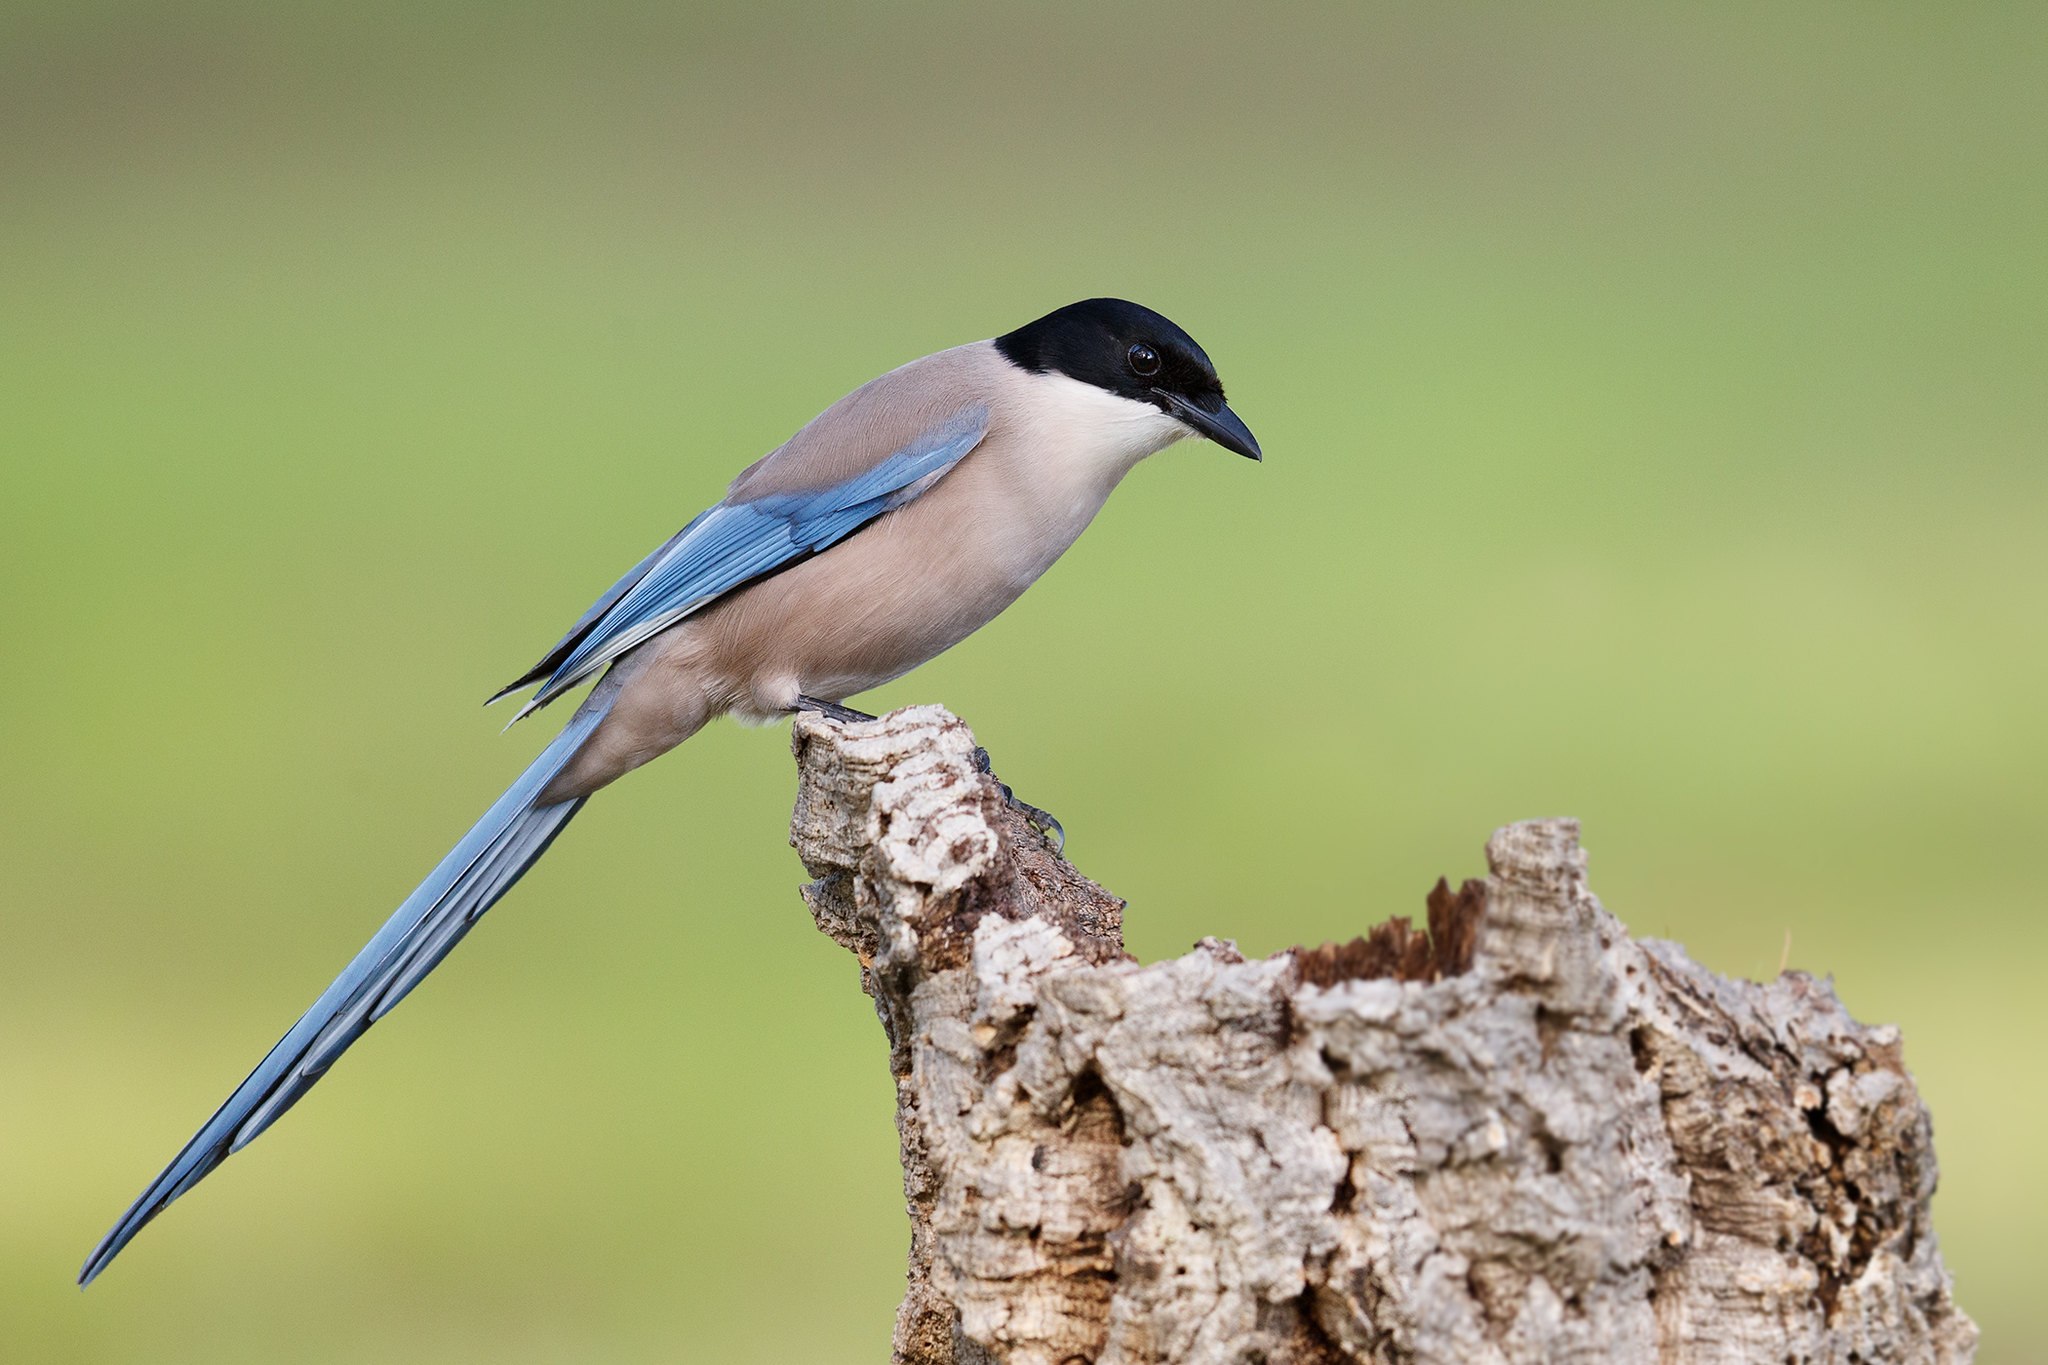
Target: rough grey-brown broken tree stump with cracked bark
point(1519, 1137)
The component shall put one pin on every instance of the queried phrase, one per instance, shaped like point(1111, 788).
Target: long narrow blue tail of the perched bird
point(490, 858)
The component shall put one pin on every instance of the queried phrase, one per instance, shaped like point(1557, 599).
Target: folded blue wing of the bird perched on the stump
point(742, 541)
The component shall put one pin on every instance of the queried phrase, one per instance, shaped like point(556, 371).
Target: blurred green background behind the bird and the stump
point(1654, 402)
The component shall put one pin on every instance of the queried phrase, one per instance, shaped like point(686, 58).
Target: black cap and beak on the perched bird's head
point(1138, 355)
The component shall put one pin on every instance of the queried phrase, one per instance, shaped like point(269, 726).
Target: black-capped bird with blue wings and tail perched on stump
point(886, 531)
